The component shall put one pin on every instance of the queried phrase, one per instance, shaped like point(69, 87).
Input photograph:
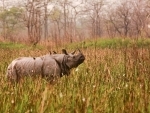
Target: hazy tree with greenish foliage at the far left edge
point(10, 21)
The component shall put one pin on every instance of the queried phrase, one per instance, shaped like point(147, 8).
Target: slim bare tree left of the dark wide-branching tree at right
point(95, 9)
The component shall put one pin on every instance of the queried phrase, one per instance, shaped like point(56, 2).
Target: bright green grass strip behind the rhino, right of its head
point(111, 43)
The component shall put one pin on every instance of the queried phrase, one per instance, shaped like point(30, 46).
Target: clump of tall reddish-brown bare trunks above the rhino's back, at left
point(32, 17)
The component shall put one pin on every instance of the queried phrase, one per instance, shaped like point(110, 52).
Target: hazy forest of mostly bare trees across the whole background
point(68, 20)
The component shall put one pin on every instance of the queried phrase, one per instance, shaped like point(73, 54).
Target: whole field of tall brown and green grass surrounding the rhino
point(115, 78)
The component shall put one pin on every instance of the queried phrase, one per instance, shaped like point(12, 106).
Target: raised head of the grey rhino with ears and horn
point(72, 60)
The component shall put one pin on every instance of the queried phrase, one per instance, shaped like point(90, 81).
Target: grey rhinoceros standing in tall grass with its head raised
point(49, 66)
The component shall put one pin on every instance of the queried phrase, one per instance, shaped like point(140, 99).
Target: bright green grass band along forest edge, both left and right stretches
point(98, 43)
